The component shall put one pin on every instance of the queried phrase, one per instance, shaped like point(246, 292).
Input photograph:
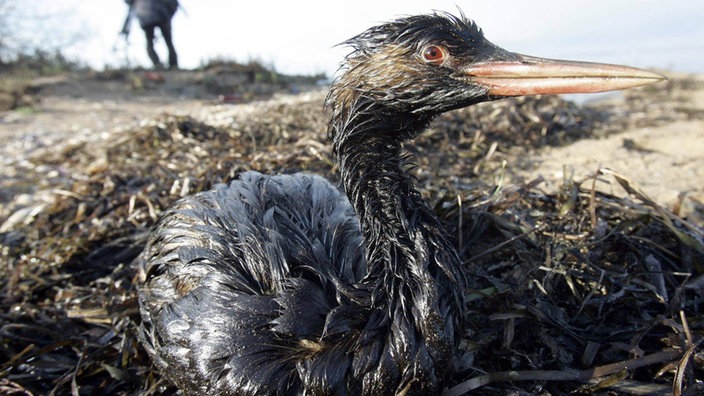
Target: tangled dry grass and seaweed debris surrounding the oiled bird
point(579, 291)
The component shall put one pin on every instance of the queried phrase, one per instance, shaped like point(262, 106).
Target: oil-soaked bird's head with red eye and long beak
point(421, 66)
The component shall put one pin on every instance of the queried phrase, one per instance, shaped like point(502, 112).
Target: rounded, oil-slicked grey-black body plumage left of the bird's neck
point(240, 281)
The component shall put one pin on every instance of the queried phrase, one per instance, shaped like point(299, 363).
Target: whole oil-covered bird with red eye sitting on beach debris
point(282, 284)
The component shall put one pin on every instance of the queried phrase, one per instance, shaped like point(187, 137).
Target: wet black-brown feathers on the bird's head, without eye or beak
point(380, 78)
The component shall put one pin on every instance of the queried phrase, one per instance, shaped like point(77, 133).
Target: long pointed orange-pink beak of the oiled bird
point(529, 75)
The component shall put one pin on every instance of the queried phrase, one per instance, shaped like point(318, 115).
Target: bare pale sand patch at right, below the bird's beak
point(664, 161)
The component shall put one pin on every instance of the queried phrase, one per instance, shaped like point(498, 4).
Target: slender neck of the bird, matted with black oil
point(413, 270)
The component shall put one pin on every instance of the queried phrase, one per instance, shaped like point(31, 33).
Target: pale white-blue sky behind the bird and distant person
point(300, 36)
